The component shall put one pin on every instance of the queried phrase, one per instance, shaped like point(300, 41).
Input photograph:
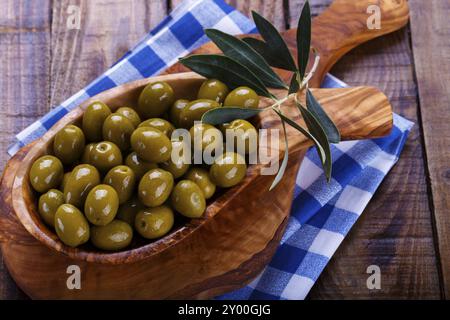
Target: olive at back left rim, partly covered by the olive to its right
point(93, 117)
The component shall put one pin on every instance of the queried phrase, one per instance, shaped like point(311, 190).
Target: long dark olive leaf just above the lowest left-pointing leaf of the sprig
point(243, 53)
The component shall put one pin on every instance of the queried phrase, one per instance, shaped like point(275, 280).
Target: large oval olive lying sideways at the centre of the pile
point(151, 144)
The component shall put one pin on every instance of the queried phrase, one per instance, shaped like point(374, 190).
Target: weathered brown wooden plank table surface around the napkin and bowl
point(405, 229)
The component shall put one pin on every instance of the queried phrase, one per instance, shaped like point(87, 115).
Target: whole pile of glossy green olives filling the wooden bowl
point(114, 175)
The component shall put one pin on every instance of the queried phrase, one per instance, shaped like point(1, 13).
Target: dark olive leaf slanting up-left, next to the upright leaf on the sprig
point(274, 41)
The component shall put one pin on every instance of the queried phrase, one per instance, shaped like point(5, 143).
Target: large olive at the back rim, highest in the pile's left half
point(155, 99)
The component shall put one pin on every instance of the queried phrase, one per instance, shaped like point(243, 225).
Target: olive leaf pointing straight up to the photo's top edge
point(303, 39)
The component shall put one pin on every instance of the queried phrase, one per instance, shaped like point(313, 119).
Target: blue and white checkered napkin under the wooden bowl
point(322, 214)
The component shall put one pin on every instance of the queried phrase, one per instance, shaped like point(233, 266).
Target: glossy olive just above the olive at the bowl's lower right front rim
point(155, 187)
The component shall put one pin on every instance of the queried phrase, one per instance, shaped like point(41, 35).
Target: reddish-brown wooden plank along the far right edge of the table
point(431, 43)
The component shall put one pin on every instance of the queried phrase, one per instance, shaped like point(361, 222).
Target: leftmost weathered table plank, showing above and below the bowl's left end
point(24, 82)
